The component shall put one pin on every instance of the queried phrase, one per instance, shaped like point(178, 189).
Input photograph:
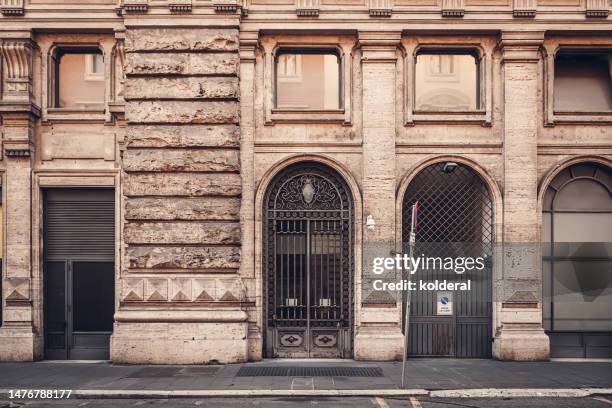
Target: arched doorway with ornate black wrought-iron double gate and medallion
point(308, 235)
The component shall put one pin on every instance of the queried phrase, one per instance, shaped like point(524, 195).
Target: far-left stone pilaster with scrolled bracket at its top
point(18, 336)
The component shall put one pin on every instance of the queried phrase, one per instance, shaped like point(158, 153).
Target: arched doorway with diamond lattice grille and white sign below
point(456, 221)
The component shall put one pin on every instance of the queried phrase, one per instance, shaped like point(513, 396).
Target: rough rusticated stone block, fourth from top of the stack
point(197, 112)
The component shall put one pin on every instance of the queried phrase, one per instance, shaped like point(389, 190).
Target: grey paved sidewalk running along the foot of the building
point(303, 377)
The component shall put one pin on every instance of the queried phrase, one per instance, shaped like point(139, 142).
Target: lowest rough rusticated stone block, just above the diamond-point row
point(184, 257)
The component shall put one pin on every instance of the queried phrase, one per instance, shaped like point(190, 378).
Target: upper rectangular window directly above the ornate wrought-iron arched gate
point(308, 80)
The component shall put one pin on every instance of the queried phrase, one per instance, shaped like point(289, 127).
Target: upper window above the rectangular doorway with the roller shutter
point(79, 80)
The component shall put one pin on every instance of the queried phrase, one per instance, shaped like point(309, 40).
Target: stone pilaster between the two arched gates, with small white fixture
point(378, 336)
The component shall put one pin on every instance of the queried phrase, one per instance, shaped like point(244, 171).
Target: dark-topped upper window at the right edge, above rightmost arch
point(583, 82)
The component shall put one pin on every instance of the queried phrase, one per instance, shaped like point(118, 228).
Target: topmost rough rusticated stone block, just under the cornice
point(188, 39)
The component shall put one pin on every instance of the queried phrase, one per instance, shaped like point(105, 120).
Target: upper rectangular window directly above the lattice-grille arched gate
point(447, 81)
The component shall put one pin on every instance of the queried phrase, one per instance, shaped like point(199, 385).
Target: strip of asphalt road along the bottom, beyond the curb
point(344, 402)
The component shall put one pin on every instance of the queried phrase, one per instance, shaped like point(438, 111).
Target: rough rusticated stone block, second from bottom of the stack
point(201, 233)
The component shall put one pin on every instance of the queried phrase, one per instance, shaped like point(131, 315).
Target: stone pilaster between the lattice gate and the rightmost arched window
point(519, 334)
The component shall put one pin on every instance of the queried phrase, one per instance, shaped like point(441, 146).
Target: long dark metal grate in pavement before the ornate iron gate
point(309, 372)
